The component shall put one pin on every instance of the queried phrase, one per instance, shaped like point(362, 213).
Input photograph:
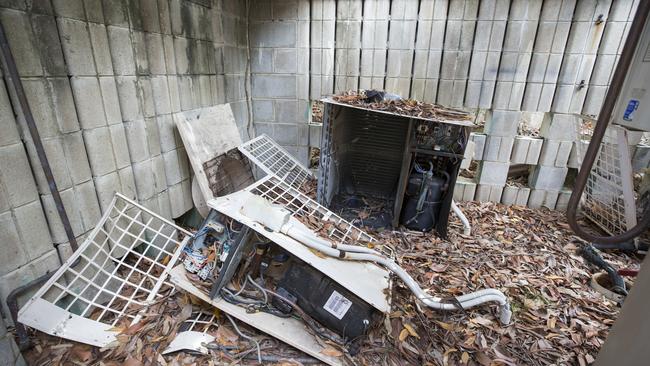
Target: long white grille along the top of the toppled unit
point(302, 207)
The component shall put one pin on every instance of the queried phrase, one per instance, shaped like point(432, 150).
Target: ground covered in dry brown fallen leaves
point(531, 255)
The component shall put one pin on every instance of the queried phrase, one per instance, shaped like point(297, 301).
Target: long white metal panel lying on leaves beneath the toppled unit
point(289, 330)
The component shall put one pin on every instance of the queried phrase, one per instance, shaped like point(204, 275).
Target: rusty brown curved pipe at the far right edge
point(599, 132)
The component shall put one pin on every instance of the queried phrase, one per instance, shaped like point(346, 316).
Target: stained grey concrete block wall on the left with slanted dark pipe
point(103, 79)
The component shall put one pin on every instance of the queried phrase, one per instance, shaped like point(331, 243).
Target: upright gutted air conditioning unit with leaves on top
point(395, 168)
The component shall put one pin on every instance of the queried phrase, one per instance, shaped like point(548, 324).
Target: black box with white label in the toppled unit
point(327, 302)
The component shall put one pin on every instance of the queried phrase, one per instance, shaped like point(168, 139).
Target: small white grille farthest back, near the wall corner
point(275, 160)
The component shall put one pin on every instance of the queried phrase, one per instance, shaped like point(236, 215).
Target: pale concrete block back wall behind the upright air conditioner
point(498, 58)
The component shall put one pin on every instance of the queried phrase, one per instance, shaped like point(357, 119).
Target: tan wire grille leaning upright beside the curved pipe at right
point(608, 199)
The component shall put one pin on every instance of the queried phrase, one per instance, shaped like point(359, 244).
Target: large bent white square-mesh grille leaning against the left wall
point(120, 269)
